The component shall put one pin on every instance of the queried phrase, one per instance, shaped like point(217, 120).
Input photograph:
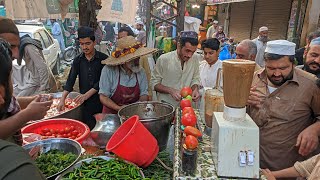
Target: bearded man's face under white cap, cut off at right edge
point(312, 61)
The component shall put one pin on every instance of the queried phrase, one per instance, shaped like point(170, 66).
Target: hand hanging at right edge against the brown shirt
point(308, 140)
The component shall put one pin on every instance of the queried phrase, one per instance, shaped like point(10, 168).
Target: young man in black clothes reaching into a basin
point(87, 67)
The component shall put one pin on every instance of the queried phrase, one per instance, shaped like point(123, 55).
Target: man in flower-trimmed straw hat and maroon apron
point(122, 80)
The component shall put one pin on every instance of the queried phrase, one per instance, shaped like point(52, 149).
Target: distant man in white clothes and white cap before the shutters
point(261, 42)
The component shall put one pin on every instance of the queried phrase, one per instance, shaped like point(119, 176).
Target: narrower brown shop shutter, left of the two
point(240, 20)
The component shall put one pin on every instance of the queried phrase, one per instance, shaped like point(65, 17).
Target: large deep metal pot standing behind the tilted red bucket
point(155, 116)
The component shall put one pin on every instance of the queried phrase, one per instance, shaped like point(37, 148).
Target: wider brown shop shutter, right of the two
point(275, 15)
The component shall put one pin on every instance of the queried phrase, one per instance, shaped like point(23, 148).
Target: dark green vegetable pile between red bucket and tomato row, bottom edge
point(156, 171)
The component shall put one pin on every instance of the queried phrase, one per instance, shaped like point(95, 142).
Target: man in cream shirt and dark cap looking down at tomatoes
point(177, 69)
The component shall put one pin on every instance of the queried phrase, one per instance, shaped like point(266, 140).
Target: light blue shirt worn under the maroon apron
point(110, 77)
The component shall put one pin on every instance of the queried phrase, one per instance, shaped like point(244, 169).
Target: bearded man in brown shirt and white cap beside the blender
point(285, 104)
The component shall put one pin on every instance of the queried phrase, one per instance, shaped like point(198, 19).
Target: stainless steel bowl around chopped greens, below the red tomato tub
point(63, 144)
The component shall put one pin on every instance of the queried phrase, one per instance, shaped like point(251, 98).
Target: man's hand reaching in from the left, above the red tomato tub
point(36, 109)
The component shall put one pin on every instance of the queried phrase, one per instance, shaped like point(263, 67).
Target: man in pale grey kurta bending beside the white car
point(36, 77)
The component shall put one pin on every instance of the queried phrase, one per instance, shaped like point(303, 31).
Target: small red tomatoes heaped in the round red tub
point(67, 132)
